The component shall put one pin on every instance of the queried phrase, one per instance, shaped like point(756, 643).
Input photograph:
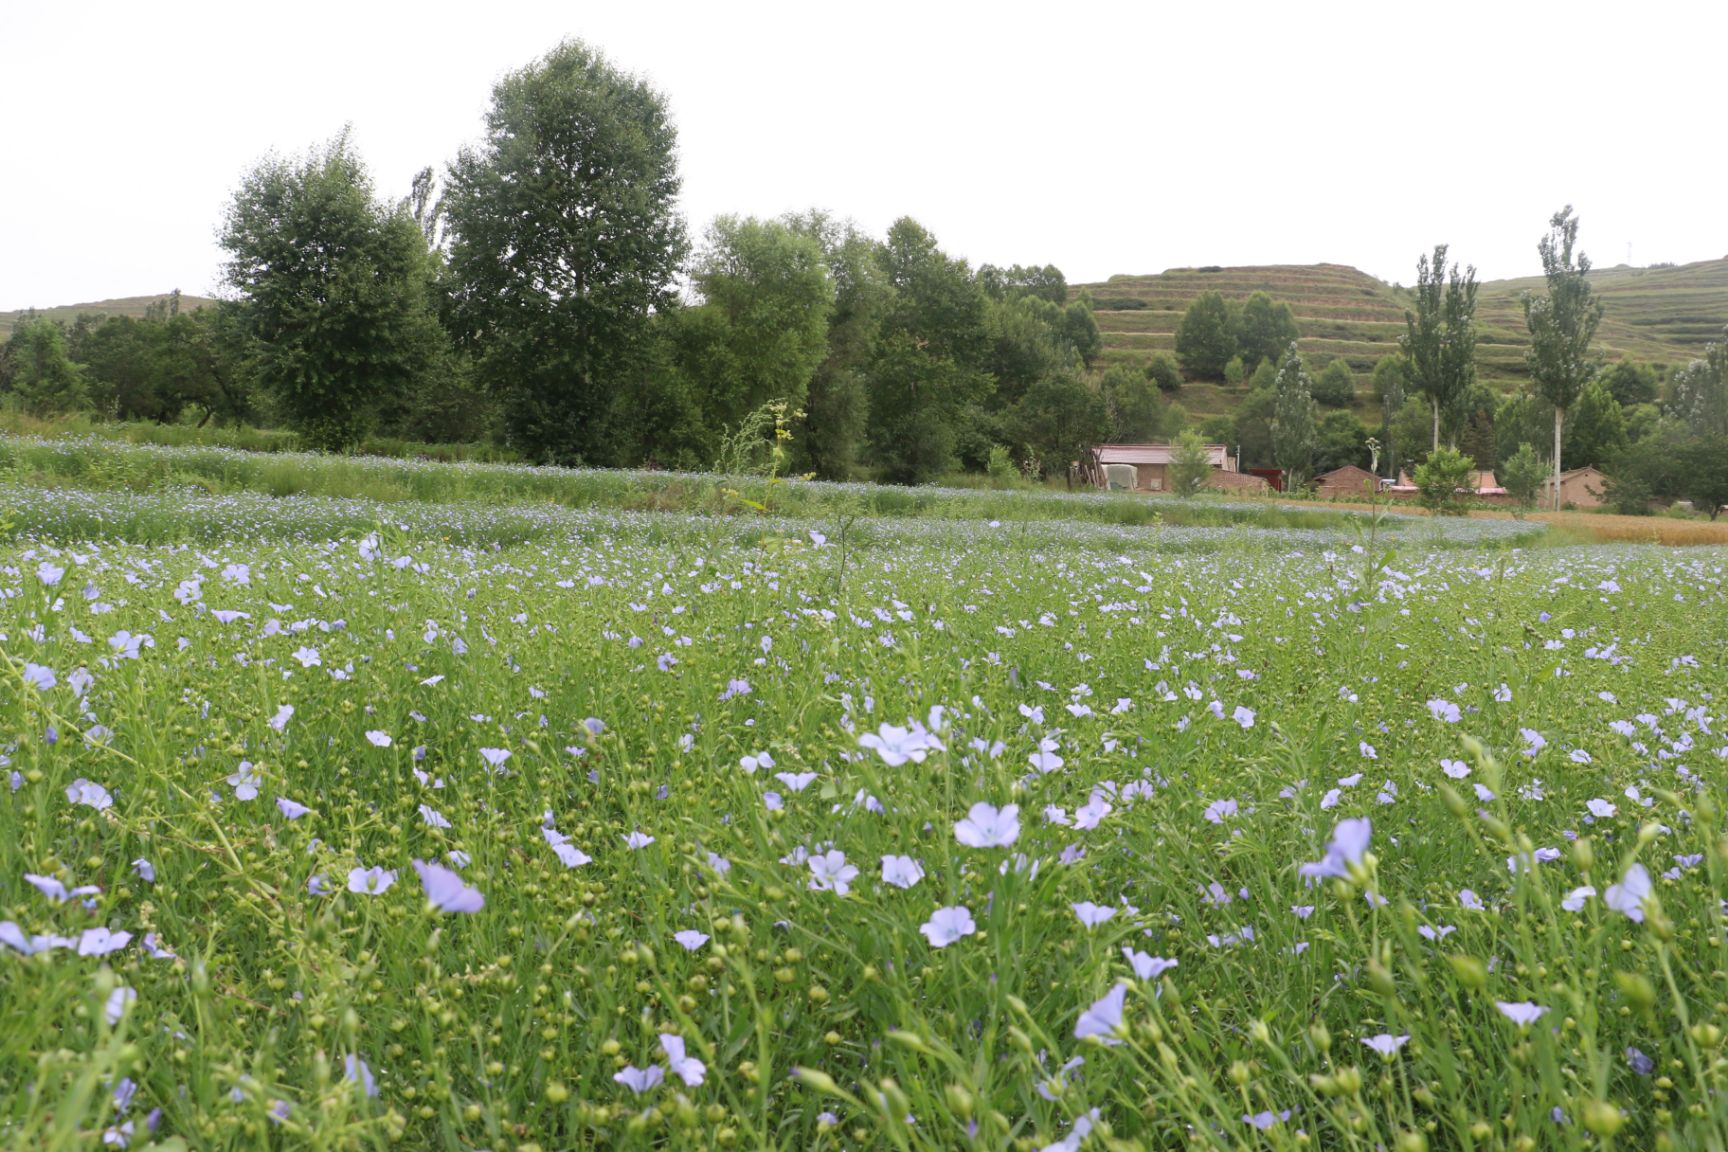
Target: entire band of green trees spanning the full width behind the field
point(545, 294)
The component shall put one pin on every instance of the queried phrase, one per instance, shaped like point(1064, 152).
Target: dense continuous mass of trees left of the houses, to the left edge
point(543, 291)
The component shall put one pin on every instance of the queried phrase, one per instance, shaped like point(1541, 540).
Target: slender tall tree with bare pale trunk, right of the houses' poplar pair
point(1563, 322)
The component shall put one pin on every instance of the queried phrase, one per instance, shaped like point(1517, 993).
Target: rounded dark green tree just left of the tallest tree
point(333, 291)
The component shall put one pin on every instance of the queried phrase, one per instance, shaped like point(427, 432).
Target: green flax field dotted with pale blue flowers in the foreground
point(1181, 730)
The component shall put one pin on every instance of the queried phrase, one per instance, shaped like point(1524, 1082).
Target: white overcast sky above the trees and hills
point(1103, 139)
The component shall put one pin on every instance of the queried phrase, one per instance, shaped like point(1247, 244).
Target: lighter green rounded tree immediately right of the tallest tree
point(761, 329)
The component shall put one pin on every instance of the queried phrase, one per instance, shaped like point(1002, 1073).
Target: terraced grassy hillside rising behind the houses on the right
point(1655, 315)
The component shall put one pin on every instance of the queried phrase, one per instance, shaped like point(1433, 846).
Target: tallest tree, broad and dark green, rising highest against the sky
point(564, 239)
